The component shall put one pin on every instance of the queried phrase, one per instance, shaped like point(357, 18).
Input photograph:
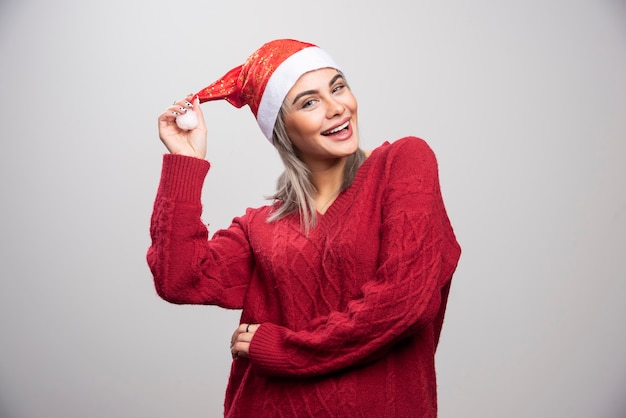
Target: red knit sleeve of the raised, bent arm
point(188, 268)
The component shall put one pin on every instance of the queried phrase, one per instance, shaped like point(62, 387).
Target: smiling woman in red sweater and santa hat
point(343, 279)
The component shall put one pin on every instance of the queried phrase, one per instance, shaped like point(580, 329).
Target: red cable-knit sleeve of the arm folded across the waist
point(417, 258)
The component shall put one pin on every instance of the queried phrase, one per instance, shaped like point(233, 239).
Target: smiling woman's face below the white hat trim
point(321, 117)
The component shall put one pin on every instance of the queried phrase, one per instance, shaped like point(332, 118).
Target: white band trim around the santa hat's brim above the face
point(283, 79)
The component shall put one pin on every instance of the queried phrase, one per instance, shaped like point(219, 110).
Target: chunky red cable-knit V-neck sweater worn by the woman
point(351, 314)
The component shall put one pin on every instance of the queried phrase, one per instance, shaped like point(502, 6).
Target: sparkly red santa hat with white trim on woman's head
point(266, 77)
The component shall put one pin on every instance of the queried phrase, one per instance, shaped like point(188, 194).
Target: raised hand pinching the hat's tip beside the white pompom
point(191, 143)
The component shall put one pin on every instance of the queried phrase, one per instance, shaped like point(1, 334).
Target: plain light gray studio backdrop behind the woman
point(523, 102)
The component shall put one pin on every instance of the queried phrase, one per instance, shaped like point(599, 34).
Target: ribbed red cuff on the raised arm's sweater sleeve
point(182, 177)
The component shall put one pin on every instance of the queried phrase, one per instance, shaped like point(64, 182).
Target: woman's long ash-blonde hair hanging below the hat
point(294, 187)
